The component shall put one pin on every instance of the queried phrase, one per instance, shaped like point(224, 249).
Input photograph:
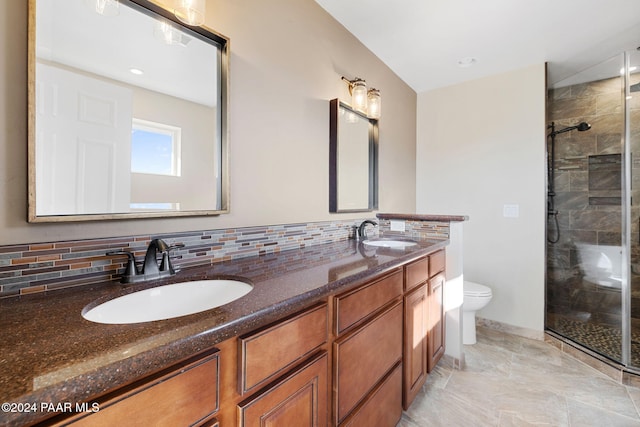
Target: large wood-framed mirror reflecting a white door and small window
point(127, 113)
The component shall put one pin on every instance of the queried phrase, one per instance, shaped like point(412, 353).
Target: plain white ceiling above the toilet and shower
point(423, 40)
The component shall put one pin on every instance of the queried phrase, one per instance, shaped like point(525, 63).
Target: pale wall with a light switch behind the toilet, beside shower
point(481, 145)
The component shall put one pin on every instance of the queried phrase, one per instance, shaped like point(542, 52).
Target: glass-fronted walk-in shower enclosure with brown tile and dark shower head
point(593, 204)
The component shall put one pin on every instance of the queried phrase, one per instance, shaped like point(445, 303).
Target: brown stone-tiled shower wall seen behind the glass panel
point(588, 167)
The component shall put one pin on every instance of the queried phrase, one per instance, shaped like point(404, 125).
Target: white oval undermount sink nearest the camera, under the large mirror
point(168, 301)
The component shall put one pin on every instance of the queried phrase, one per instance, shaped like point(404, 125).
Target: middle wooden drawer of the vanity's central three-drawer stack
point(364, 357)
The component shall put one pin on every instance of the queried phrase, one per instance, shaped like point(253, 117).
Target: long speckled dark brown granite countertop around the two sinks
point(50, 354)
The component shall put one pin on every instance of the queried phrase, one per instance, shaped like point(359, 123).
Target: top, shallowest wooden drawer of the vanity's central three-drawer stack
point(354, 306)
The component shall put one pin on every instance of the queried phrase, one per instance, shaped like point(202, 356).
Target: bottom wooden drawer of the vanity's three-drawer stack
point(384, 406)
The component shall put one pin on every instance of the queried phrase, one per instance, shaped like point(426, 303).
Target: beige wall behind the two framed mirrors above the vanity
point(287, 57)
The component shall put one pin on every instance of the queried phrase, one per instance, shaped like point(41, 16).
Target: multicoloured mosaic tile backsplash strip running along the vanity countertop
point(40, 267)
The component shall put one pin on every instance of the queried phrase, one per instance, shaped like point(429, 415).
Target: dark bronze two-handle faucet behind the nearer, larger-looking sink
point(150, 269)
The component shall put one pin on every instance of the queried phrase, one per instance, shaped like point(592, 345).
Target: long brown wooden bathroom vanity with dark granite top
point(335, 334)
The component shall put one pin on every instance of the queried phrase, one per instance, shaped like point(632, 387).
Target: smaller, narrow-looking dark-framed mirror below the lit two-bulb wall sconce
point(353, 160)
